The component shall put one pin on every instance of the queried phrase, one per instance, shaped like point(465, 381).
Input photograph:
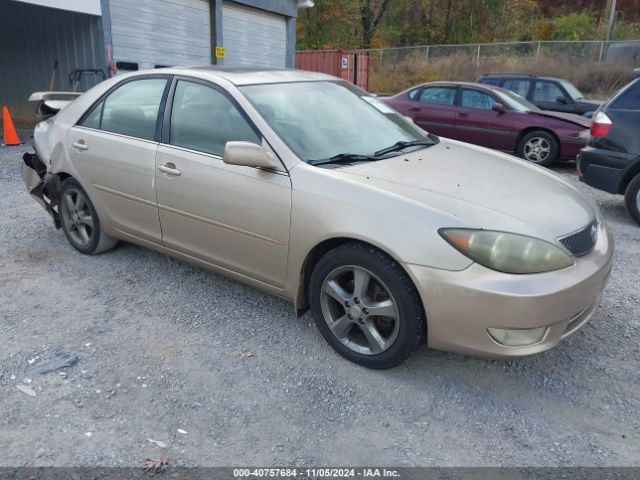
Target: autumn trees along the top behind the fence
point(395, 23)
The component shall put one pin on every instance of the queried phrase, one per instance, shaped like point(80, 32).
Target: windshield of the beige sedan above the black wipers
point(321, 120)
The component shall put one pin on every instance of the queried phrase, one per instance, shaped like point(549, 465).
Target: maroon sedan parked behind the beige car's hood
point(495, 118)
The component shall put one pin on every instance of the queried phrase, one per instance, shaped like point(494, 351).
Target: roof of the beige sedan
point(244, 75)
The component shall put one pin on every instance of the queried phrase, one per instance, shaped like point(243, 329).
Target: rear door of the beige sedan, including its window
point(114, 148)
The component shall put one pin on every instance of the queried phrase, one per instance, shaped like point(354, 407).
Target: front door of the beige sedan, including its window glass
point(234, 217)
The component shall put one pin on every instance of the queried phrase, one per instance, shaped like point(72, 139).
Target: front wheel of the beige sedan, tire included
point(366, 306)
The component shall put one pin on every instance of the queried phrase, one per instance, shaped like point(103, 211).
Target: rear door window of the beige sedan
point(132, 109)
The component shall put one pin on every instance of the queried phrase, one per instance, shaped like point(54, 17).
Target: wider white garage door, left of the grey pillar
point(153, 33)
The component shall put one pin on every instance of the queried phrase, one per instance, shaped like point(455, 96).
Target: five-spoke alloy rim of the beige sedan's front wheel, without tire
point(359, 310)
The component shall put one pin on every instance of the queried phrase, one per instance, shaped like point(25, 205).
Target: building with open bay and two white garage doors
point(112, 36)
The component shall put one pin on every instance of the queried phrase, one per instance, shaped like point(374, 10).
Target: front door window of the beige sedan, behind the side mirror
point(204, 119)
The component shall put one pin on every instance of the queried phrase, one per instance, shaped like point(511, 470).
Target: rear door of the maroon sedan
point(433, 109)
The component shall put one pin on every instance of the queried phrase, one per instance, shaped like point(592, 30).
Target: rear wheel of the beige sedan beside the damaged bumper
point(80, 221)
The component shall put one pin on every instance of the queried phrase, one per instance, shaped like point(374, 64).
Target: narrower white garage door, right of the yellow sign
point(253, 37)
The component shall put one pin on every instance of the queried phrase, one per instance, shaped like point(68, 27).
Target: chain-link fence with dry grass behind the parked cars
point(597, 67)
